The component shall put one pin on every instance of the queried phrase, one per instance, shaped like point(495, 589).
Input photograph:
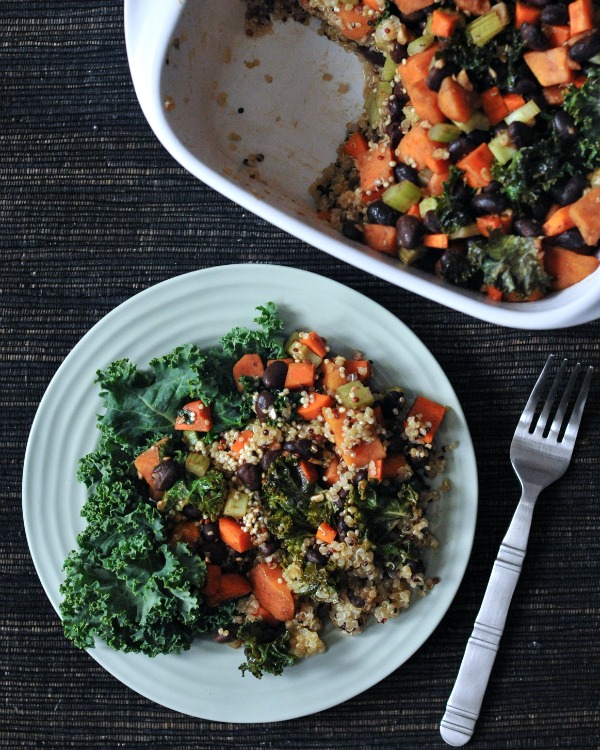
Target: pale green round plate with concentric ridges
point(200, 307)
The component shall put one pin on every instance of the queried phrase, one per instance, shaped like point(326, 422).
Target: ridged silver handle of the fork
point(462, 710)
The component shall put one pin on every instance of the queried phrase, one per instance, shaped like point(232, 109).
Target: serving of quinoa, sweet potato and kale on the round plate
point(265, 490)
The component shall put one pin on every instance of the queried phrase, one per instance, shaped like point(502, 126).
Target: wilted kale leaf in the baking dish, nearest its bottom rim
point(510, 263)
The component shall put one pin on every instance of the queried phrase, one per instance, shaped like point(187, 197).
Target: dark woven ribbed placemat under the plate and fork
point(94, 210)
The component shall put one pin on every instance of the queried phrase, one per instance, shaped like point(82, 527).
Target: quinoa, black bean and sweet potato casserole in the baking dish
point(477, 155)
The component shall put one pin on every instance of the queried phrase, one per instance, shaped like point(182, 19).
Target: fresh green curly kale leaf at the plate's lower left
point(128, 587)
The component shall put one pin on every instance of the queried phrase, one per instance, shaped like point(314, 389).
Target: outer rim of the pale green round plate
point(100, 652)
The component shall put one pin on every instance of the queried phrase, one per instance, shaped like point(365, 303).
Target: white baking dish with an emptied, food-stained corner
point(194, 69)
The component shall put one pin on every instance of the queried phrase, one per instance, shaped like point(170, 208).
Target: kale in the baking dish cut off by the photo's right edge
point(583, 104)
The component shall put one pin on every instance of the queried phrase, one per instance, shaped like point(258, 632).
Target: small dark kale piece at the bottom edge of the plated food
point(266, 649)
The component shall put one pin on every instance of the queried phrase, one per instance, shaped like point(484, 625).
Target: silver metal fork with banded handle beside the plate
point(540, 453)
